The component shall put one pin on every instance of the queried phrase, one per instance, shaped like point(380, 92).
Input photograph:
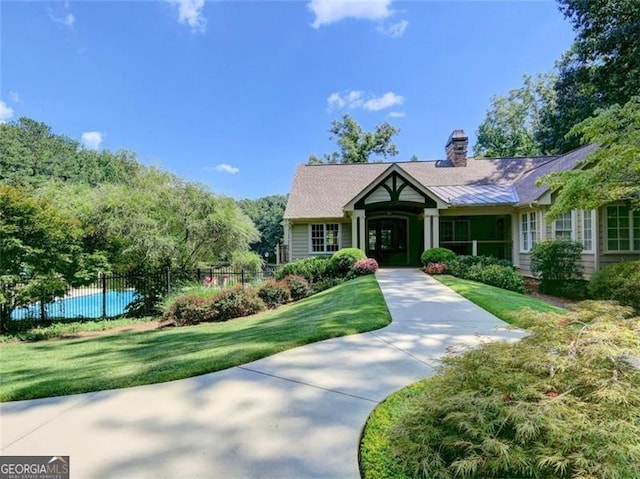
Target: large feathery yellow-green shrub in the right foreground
point(563, 402)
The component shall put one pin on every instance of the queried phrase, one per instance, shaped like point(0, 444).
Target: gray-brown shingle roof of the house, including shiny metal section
point(322, 191)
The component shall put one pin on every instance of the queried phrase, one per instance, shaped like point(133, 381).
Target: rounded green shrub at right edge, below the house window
point(619, 282)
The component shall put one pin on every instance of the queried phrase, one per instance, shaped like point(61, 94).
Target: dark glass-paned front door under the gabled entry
point(387, 241)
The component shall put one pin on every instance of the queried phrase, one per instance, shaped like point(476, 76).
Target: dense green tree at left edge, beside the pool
point(41, 253)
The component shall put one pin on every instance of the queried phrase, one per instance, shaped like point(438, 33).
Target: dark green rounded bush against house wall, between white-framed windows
point(556, 263)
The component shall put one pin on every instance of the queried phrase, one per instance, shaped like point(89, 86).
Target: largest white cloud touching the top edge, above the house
point(331, 11)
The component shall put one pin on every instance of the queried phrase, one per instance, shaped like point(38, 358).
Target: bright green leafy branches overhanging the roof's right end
point(610, 173)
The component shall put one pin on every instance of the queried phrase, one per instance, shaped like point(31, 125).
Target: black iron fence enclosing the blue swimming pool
point(134, 294)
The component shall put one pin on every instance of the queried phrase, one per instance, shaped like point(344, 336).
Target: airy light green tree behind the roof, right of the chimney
point(511, 123)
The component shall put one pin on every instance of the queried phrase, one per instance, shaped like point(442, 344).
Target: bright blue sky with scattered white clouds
point(235, 94)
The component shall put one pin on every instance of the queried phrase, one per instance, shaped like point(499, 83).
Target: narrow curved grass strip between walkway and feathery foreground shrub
point(376, 450)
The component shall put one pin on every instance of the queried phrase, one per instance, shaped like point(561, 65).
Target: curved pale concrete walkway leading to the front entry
point(297, 414)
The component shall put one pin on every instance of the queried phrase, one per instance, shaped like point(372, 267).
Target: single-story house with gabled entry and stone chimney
point(474, 206)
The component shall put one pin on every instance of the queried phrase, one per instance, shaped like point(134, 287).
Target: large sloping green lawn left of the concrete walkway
point(53, 368)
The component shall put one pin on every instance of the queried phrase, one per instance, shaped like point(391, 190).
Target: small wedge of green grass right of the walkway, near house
point(504, 304)
